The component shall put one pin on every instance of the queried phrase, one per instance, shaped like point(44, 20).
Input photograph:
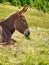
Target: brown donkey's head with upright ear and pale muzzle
point(20, 23)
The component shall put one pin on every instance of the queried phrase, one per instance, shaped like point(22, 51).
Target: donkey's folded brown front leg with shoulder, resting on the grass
point(6, 36)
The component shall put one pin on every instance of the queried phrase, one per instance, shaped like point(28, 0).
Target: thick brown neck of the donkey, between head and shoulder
point(9, 22)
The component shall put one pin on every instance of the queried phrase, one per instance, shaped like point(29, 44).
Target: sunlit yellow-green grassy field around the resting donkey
point(33, 50)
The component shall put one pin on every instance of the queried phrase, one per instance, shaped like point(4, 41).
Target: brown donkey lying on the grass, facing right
point(15, 21)
